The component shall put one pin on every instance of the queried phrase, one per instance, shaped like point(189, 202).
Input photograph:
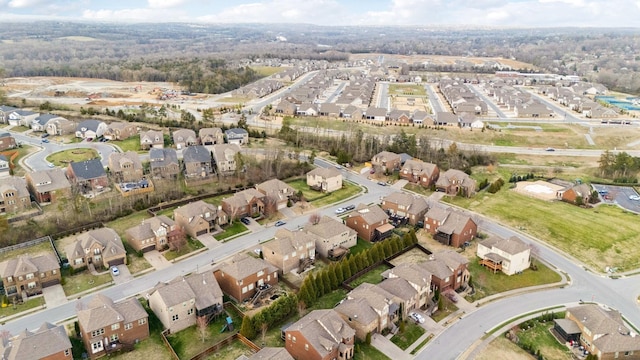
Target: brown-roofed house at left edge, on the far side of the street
point(26, 275)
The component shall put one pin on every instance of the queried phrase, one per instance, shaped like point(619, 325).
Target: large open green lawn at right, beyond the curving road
point(600, 237)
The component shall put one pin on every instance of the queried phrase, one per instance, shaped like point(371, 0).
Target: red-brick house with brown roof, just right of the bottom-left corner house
point(106, 326)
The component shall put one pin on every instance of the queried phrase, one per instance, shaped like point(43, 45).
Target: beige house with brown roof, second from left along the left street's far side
point(99, 247)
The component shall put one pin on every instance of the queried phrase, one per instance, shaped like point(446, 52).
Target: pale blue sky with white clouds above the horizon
point(500, 13)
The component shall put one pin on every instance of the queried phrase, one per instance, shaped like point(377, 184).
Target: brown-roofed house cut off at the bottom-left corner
point(50, 342)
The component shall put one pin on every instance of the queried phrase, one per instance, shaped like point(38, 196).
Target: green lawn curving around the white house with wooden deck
point(486, 283)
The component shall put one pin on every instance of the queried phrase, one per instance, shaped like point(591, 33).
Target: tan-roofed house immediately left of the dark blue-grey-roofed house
point(48, 186)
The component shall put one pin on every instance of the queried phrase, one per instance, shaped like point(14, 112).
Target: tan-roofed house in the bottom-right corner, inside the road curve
point(604, 333)
